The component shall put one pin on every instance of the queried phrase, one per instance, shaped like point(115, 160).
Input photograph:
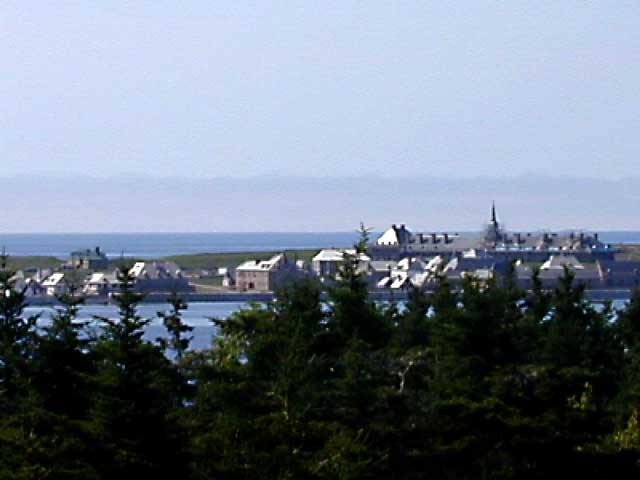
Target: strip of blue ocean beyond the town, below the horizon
point(154, 245)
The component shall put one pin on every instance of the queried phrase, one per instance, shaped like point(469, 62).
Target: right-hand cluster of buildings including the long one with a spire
point(399, 259)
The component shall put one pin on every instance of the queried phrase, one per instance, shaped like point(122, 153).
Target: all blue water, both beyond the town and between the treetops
point(154, 245)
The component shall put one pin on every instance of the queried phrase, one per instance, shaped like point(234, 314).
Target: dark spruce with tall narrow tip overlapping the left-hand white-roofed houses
point(131, 417)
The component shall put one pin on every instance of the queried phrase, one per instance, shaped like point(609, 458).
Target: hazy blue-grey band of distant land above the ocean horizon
point(313, 204)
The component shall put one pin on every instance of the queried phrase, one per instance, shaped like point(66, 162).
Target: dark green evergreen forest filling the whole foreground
point(484, 381)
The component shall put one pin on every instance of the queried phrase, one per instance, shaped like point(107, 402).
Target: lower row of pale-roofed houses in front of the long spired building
point(417, 272)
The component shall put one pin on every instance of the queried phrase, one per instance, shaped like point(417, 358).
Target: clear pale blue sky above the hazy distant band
point(206, 89)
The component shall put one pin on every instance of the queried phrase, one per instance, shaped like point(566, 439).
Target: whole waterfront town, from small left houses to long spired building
point(397, 259)
